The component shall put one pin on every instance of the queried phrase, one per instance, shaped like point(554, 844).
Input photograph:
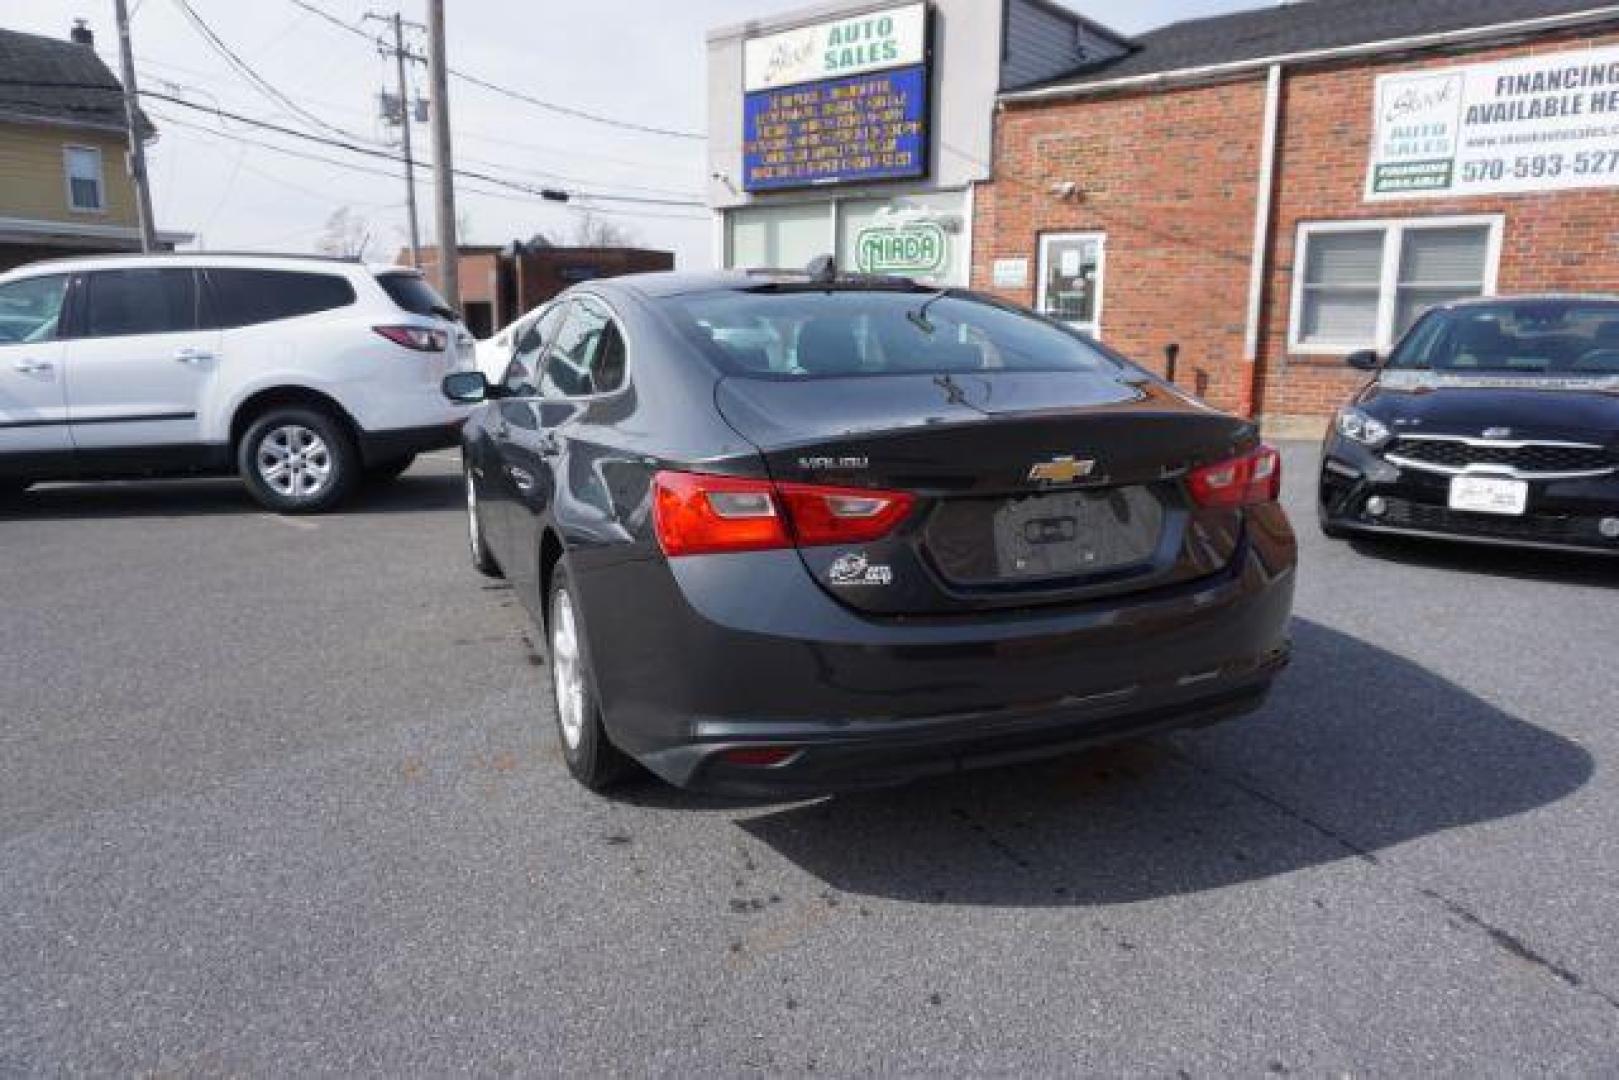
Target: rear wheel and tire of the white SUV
point(268, 441)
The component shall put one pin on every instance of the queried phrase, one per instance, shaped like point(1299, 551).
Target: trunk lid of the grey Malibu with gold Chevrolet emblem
point(1032, 488)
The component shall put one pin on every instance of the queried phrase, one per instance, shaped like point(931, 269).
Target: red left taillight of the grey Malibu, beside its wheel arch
point(705, 516)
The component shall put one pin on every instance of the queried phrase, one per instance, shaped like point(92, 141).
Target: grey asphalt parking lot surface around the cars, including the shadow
point(281, 797)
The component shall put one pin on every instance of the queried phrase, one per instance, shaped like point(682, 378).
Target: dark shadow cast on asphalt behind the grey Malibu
point(1356, 752)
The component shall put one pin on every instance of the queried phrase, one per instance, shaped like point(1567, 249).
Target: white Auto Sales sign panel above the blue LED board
point(828, 51)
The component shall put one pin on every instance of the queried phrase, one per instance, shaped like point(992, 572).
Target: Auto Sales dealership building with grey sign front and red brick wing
point(1254, 195)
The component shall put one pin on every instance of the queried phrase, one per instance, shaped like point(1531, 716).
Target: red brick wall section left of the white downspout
point(1171, 179)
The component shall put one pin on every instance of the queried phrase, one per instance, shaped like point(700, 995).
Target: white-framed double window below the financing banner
point(1366, 284)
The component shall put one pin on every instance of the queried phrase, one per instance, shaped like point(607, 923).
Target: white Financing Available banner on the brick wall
point(1542, 124)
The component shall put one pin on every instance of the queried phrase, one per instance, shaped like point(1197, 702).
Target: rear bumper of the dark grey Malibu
point(700, 657)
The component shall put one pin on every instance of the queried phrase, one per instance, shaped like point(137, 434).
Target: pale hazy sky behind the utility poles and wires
point(634, 61)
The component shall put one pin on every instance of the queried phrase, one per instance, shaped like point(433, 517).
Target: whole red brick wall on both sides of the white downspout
point(1171, 177)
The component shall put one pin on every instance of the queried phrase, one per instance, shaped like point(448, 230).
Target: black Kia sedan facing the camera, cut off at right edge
point(1494, 422)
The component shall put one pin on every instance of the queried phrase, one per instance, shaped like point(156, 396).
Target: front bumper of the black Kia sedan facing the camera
point(1563, 516)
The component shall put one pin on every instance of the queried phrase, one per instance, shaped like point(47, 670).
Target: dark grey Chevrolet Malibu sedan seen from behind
point(793, 535)
